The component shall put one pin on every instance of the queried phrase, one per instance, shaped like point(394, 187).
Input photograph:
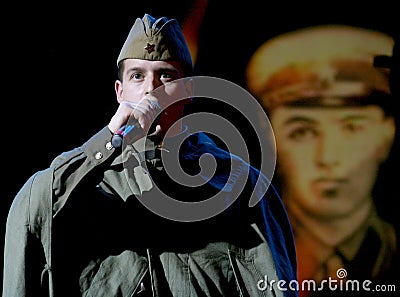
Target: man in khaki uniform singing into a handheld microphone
point(86, 226)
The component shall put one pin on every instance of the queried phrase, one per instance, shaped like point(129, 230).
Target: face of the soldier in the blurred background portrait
point(329, 157)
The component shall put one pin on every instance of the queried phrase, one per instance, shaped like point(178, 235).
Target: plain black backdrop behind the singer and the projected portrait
point(59, 66)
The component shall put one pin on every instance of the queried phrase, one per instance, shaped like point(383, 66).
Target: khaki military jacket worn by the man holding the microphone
point(75, 229)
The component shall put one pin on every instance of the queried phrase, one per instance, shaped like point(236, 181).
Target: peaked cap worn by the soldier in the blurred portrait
point(321, 65)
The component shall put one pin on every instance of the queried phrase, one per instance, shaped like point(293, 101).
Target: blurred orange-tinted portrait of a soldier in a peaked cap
point(331, 113)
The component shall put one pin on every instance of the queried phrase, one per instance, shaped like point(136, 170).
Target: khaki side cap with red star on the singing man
point(156, 40)
